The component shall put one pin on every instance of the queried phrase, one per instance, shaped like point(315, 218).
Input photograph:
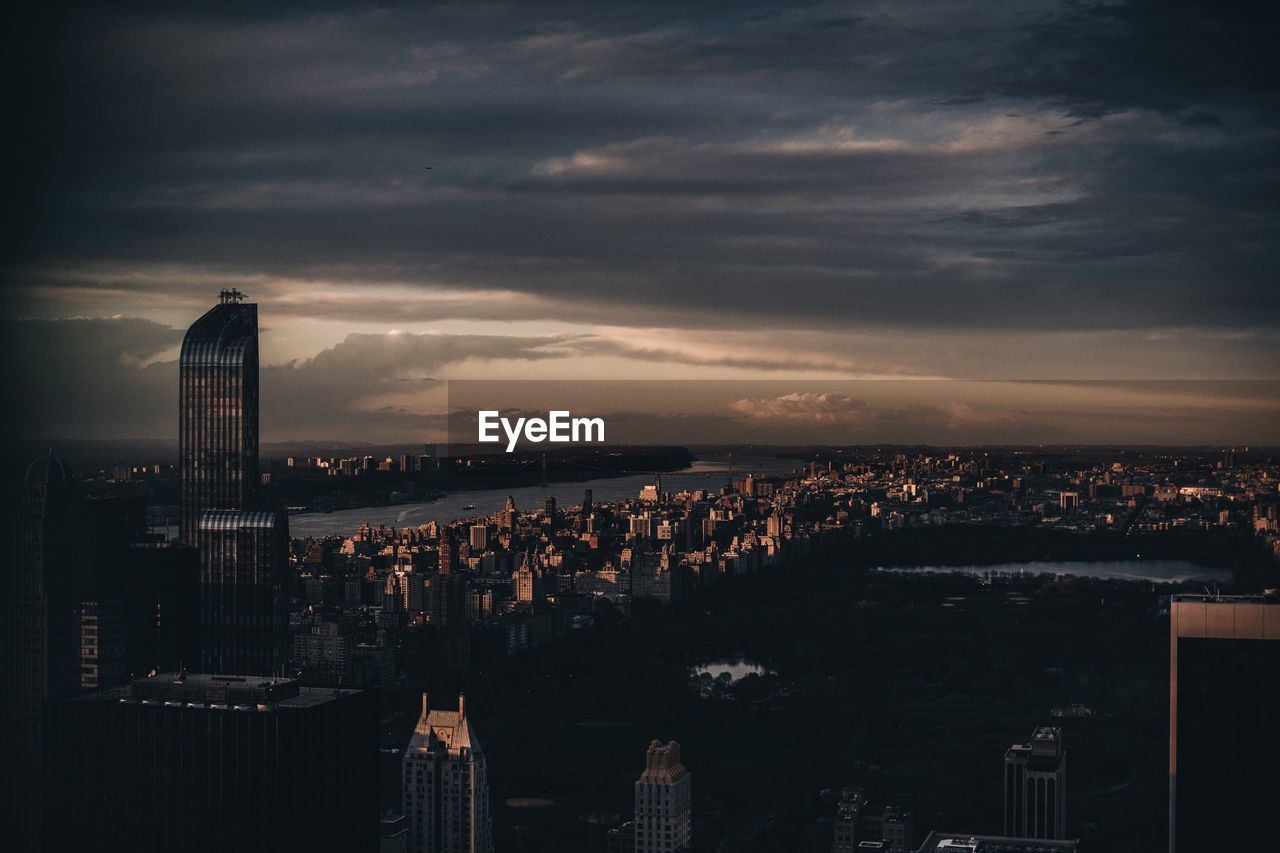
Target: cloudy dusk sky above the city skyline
point(788, 193)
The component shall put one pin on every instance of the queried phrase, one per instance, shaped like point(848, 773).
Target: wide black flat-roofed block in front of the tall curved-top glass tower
point(213, 764)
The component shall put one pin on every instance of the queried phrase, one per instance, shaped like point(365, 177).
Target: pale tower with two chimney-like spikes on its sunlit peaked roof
point(446, 786)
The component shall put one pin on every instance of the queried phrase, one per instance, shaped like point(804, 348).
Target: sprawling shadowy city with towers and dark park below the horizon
point(239, 686)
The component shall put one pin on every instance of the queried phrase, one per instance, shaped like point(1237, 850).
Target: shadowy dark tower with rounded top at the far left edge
point(42, 644)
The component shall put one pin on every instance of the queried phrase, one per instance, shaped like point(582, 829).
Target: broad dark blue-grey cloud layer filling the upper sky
point(876, 166)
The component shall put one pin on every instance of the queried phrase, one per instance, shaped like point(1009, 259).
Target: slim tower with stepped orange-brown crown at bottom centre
point(665, 802)
